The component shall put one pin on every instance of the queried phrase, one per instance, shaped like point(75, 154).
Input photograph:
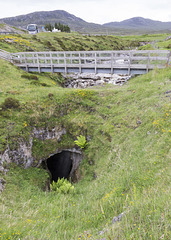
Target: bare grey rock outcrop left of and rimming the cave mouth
point(23, 154)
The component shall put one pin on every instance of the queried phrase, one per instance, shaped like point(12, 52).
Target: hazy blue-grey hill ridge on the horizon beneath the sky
point(138, 24)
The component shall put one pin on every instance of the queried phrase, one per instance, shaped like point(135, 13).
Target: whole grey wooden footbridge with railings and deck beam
point(121, 62)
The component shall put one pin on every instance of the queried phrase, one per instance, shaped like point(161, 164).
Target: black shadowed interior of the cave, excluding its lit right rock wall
point(60, 165)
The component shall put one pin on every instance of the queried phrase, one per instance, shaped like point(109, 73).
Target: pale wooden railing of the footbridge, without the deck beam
point(150, 58)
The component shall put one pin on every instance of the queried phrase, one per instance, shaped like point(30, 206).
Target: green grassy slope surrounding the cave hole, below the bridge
point(130, 160)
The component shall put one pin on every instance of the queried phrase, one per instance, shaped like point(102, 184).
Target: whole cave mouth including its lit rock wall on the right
point(65, 164)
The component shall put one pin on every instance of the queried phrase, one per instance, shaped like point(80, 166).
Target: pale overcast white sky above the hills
point(96, 11)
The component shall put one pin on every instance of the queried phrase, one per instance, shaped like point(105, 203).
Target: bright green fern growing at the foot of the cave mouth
point(62, 186)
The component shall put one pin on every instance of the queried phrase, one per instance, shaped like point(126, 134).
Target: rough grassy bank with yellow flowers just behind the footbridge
point(78, 42)
